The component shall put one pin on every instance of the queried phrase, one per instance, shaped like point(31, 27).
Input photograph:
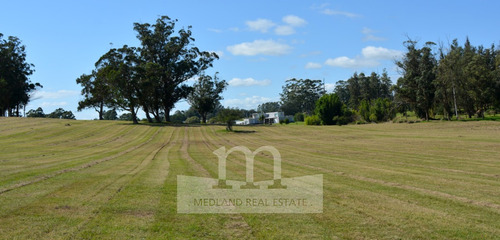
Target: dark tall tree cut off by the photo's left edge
point(15, 86)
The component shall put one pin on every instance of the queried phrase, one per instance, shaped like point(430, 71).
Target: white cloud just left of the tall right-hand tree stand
point(370, 57)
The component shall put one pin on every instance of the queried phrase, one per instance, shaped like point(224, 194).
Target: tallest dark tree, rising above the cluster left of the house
point(172, 60)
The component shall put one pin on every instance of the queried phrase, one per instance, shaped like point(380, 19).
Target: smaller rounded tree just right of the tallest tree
point(206, 95)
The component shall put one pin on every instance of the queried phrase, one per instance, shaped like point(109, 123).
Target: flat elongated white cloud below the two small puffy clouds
point(259, 47)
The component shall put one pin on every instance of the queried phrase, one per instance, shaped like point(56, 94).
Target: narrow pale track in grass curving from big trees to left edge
point(81, 167)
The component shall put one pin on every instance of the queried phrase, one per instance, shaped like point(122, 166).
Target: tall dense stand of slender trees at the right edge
point(453, 81)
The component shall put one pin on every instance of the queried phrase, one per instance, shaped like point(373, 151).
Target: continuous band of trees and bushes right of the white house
point(452, 81)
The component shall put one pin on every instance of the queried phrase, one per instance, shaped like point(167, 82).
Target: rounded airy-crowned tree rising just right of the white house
point(300, 95)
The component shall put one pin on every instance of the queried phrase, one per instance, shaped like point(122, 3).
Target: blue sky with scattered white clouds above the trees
point(261, 43)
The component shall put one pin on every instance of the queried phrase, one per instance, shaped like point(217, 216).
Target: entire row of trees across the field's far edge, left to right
point(436, 81)
